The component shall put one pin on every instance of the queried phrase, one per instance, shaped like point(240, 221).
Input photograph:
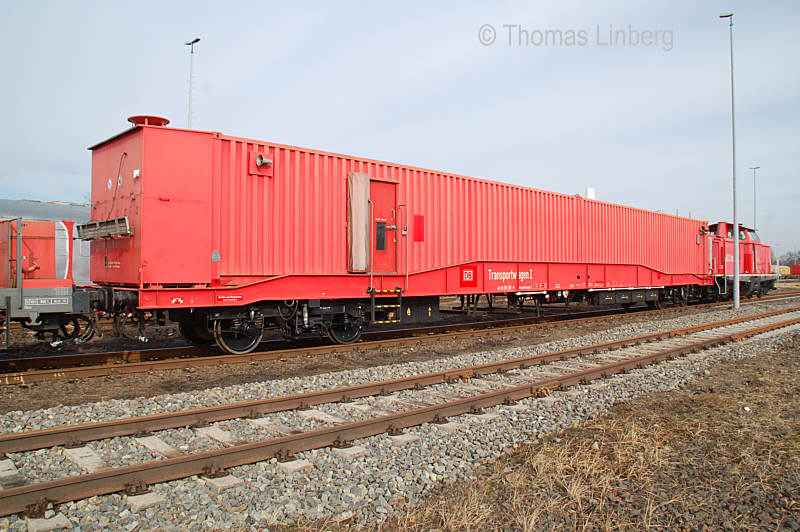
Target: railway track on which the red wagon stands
point(22, 371)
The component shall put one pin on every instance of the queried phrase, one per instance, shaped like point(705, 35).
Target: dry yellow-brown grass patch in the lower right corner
point(688, 460)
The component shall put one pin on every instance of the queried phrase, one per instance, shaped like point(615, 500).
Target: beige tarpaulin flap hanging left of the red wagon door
point(358, 222)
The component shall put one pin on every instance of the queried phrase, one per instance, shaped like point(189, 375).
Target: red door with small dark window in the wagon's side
point(384, 226)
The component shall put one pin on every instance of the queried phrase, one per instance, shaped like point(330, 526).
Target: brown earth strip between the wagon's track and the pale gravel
point(156, 383)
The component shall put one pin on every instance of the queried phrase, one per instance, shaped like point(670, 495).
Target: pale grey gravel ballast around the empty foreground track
point(371, 486)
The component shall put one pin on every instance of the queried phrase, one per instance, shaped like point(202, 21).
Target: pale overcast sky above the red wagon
point(412, 82)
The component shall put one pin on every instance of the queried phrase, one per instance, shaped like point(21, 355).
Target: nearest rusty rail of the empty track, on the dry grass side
point(130, 478)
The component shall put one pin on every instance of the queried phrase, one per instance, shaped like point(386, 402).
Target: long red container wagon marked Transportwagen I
point(230, 235)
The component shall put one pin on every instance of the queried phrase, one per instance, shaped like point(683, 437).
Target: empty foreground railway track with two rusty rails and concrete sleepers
point(396, 405)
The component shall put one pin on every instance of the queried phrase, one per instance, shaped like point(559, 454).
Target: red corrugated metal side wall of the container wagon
point(294, 221)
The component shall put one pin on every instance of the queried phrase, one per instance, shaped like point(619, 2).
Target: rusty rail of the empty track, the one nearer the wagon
point(74, 435)
